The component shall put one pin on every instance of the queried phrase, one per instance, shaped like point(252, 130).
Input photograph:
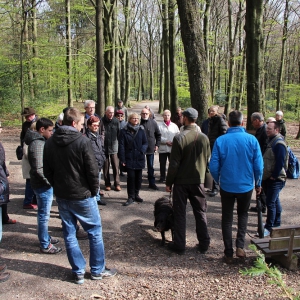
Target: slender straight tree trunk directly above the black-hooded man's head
point(69, 52)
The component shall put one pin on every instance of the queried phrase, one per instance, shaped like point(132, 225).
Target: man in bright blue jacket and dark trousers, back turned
point(237, 165)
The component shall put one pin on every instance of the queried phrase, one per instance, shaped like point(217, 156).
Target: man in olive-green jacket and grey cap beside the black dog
point(190, 155)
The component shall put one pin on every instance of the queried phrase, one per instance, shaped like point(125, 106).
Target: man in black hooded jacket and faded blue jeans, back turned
point(71, 168)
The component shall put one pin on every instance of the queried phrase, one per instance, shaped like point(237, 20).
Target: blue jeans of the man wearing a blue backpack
point(272, 189)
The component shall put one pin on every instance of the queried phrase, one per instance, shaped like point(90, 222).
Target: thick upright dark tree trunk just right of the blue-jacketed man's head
point(253, 28)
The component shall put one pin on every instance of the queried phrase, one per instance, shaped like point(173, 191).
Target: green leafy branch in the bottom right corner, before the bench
point(262, 268)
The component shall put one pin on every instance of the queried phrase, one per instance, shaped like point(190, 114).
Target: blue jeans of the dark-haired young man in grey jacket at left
point(44, 197)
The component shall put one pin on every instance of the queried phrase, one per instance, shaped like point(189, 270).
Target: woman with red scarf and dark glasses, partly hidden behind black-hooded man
point(92, 132)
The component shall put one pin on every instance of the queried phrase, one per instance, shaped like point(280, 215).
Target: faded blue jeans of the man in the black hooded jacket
point(87, 213)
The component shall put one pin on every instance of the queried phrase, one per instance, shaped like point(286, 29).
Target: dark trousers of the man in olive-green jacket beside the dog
point(196, 194)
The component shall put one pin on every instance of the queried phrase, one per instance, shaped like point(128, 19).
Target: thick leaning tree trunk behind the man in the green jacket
point(192, 38)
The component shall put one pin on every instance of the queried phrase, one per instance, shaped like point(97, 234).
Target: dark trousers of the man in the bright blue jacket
point(243, 203)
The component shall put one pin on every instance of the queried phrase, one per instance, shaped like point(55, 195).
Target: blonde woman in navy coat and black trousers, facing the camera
point(132, 148)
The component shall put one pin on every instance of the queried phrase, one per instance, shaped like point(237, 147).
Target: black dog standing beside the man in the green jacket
point(163, 215)
